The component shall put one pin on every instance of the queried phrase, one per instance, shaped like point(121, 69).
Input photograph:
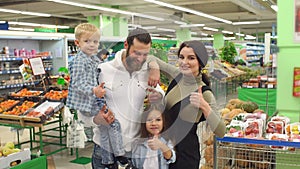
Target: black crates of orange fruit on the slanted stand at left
point(32, 105)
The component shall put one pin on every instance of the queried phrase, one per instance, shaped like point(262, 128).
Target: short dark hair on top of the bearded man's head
point(140, 34)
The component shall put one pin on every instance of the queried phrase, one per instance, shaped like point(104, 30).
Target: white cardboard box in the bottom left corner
point(20, 157)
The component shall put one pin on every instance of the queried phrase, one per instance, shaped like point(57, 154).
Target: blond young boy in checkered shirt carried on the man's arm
point(86, 95)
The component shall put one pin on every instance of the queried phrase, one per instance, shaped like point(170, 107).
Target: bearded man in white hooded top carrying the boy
point(126, 82)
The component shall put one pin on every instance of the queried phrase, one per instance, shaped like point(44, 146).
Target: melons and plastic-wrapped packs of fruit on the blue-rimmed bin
point(244, 119)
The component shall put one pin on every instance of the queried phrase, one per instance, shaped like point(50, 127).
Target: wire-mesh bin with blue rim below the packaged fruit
point(240, 153)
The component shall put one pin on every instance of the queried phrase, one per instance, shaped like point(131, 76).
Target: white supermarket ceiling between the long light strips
point(232, 10)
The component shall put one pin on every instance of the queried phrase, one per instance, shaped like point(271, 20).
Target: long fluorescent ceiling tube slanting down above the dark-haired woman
point(188, 10)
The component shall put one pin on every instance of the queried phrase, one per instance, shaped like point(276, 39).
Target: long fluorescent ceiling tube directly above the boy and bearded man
point(107, 9)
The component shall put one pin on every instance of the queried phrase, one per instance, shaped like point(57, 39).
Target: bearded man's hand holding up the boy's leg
point(105, 116)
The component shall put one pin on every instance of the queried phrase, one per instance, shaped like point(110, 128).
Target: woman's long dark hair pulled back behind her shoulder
point(205, 78)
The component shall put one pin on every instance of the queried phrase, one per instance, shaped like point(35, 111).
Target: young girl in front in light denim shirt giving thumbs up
point(152, 150)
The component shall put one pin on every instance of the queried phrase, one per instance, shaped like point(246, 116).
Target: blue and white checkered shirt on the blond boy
point(83, 73)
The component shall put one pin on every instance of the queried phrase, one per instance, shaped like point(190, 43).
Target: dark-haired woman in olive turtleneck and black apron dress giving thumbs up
point(188, 101)
